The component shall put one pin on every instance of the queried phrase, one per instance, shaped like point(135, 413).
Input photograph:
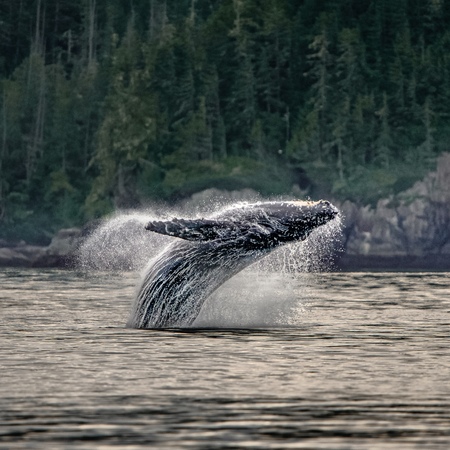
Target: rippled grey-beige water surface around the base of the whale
point(338, 361)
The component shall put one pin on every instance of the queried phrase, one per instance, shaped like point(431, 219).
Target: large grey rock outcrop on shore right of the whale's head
point(412, 225)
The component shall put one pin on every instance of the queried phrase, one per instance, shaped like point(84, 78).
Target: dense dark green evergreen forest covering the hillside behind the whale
point(110, 104)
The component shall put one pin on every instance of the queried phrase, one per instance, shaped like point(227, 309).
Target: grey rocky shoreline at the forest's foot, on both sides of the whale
point(410, 231)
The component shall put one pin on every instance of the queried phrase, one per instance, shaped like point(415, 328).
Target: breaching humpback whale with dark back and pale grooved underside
point(212, 250)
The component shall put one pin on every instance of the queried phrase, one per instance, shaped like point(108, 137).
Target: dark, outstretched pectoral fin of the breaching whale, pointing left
point(194, 229)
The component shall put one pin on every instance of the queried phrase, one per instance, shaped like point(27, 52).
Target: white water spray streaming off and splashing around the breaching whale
point(122, 242)
